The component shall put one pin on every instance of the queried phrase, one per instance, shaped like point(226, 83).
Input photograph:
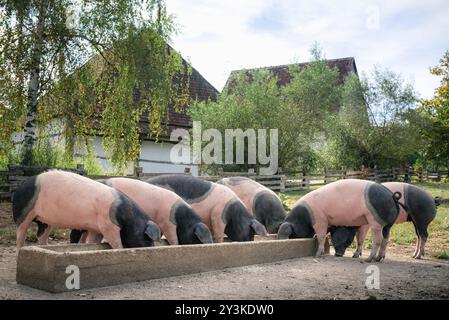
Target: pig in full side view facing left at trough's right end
point(348, 202)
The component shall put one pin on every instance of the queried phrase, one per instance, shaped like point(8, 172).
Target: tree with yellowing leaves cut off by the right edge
point(437, 110)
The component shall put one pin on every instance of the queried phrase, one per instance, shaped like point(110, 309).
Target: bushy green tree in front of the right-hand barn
point(254, 100)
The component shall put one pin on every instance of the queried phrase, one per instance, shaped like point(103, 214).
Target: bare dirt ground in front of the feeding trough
point(401, 277)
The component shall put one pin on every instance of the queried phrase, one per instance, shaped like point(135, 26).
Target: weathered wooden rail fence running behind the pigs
point(284, 181)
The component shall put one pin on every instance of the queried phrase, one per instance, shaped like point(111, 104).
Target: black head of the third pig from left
point(240, 225)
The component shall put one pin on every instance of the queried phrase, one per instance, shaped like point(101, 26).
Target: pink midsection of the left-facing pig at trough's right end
point(340, 203)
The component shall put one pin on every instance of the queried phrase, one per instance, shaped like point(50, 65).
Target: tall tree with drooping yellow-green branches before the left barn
point(98, 66)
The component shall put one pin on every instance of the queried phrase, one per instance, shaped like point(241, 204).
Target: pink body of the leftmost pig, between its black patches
point(68, 200)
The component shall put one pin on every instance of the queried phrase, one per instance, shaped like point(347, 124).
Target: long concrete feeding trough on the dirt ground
point(44, 267)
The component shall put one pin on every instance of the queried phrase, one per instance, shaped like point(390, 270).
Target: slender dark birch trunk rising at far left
point(33, 90)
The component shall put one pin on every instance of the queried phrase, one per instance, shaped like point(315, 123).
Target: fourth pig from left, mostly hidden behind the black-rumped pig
point(260, 201)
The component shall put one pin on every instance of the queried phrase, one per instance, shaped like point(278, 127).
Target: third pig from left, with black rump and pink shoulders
point(218, 206)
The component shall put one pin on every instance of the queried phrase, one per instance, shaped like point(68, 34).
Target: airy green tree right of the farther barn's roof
point(377, 124)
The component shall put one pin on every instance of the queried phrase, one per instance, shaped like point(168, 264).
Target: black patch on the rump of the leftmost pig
point(24, 198)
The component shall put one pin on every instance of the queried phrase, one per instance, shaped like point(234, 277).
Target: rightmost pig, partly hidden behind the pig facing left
point(417, 206)
